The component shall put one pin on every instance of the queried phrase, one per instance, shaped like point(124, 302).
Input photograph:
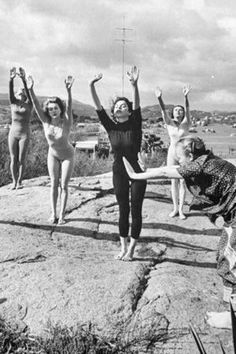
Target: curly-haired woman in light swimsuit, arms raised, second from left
point(57, 123)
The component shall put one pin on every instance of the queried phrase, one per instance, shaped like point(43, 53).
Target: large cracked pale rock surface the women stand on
point(67, 274)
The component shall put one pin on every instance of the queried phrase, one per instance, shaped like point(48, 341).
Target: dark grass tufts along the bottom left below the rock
point(63, 340)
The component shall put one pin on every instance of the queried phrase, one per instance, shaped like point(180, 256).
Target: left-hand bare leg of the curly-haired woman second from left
point(54, 171)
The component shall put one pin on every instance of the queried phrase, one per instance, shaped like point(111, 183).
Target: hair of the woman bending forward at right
point(193, 145)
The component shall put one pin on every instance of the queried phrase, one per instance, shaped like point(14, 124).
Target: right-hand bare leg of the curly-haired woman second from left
point(66, 172)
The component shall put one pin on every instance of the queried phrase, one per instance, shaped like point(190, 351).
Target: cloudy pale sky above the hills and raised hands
point(173, 43)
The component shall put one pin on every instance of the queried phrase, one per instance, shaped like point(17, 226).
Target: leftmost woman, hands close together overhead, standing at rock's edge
point(19, 134)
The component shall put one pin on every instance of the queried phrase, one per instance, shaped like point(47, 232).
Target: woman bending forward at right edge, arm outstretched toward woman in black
point(212, 182)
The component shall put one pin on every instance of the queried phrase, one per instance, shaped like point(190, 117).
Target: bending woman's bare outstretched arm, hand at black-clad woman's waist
point(160, 172)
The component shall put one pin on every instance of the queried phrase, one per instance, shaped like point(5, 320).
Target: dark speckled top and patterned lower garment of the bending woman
point(212, 182)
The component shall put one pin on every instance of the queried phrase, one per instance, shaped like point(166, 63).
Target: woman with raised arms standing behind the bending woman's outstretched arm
point(177, 126)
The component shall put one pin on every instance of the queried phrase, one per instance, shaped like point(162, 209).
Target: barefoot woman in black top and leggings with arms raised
point(125, 134)
